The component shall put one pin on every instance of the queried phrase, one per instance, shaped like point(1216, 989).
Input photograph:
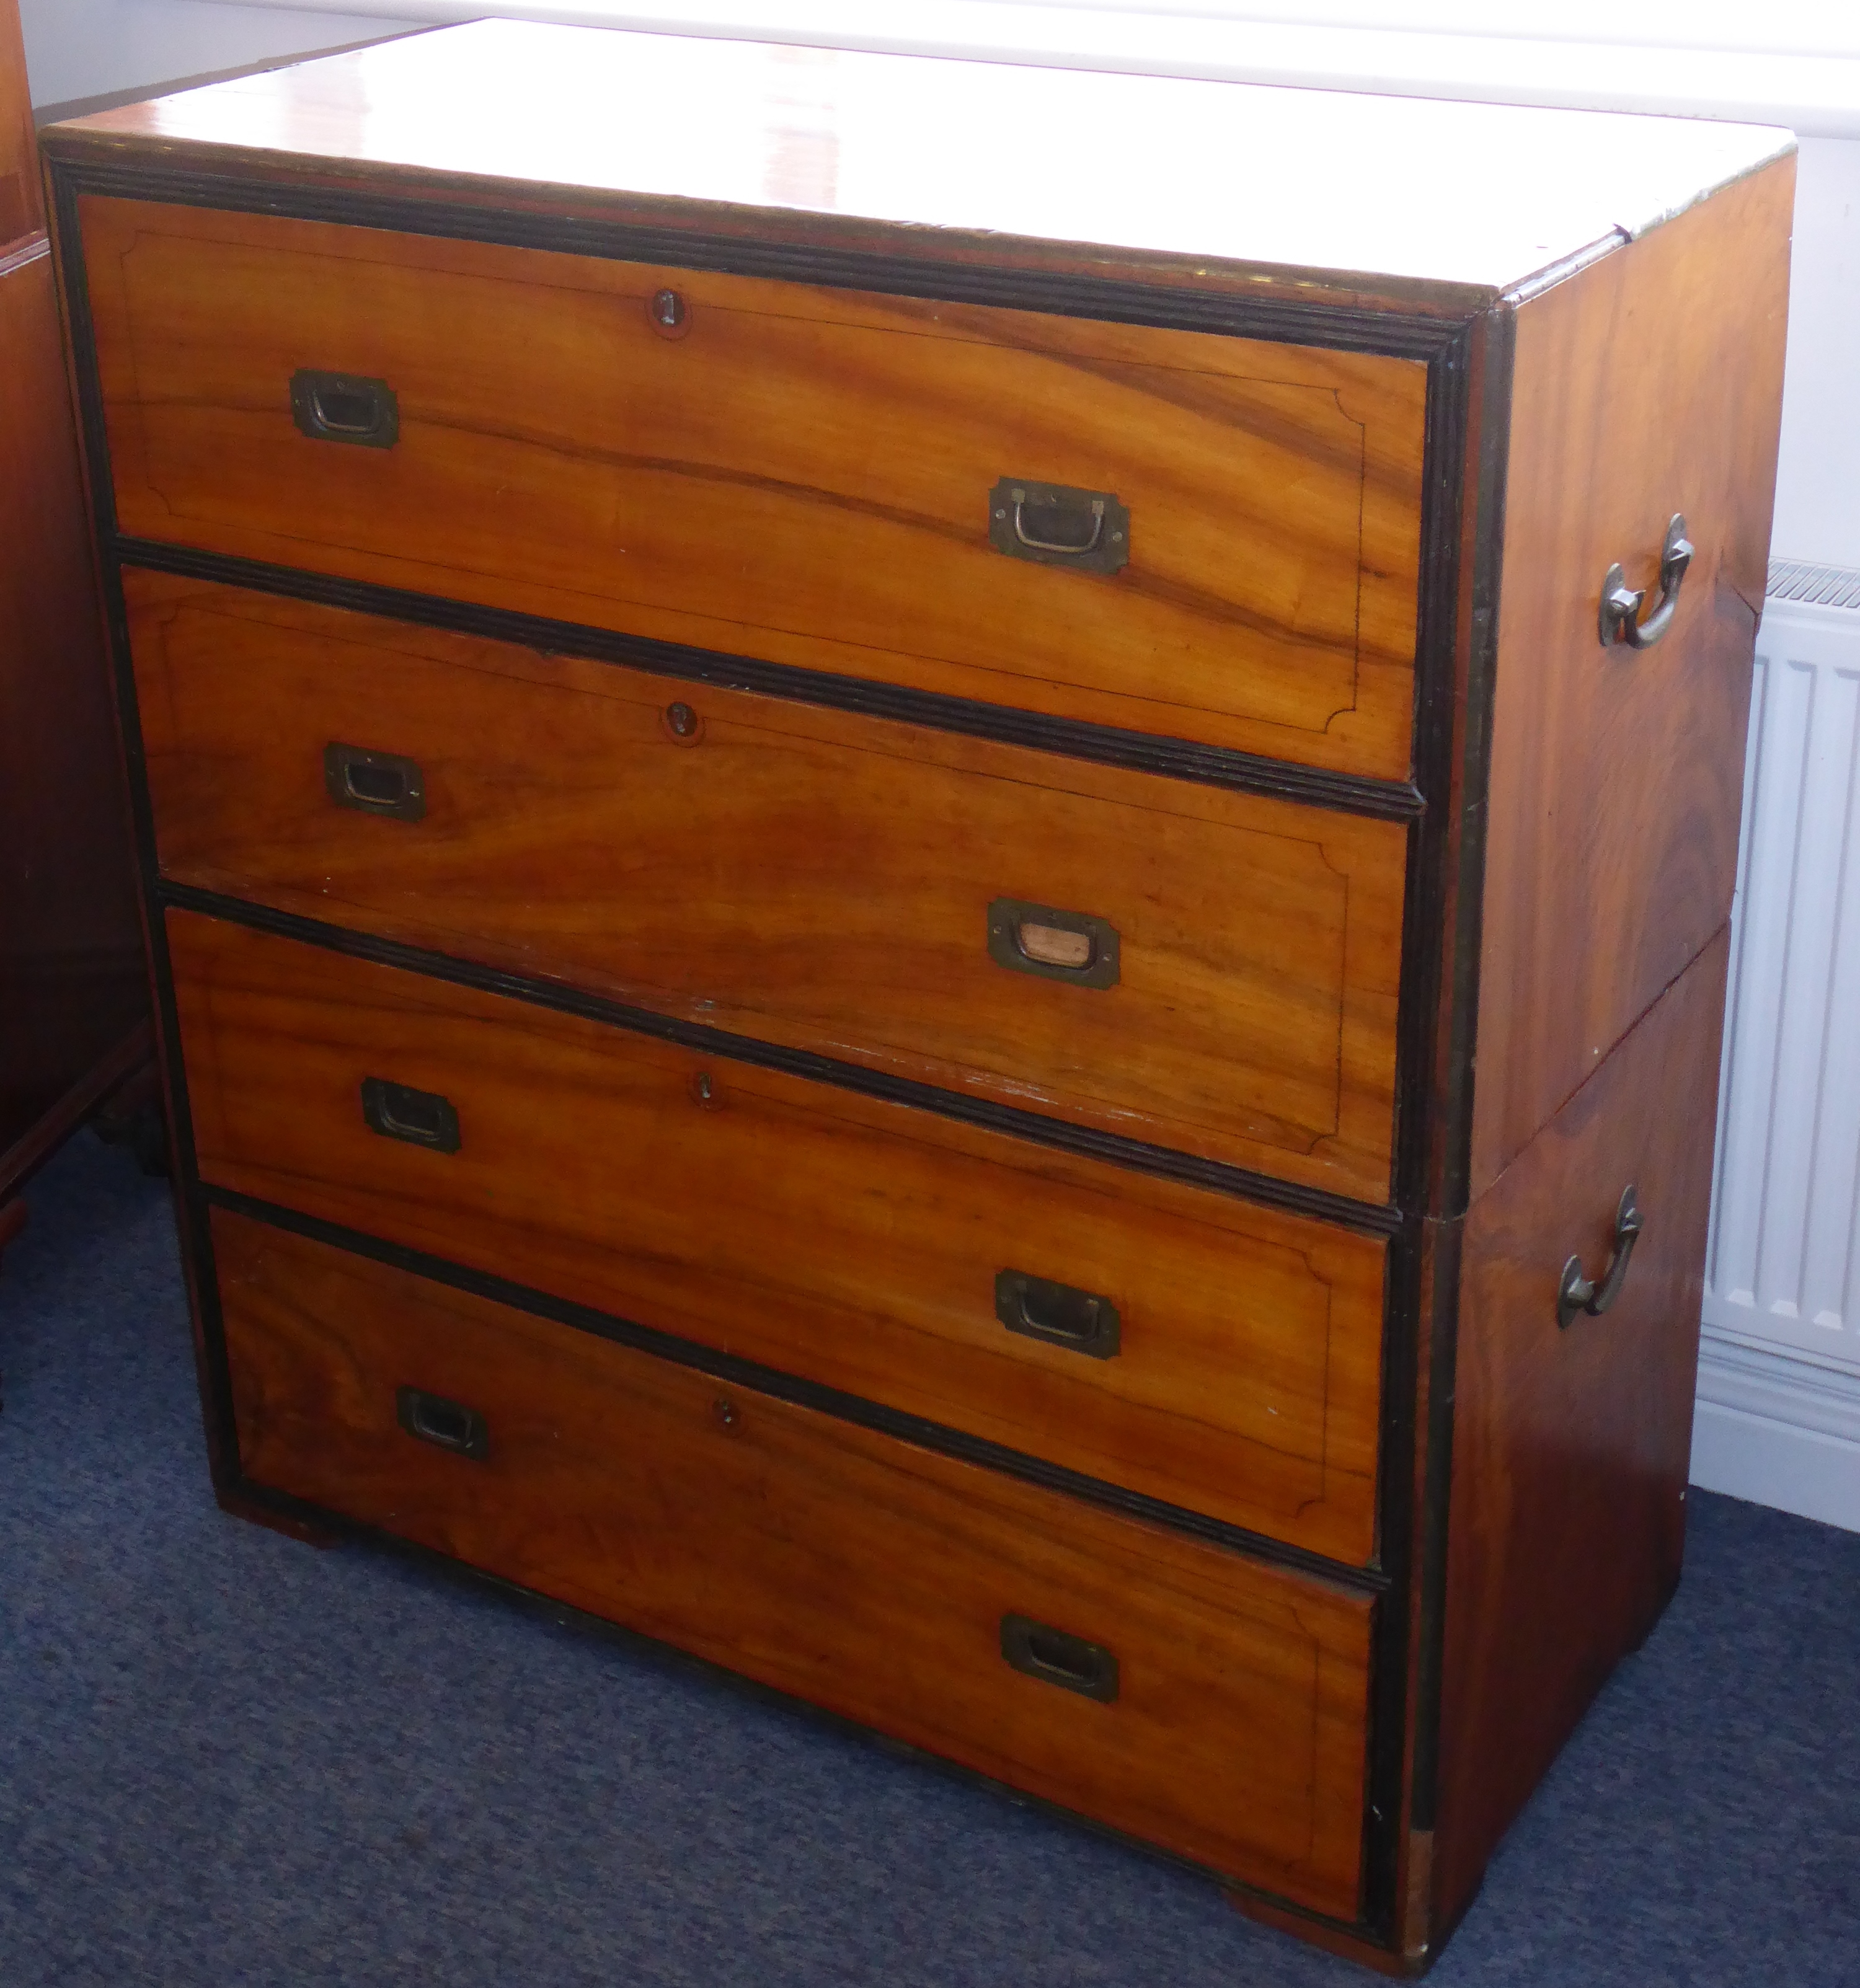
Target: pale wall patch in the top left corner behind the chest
point(87, 49)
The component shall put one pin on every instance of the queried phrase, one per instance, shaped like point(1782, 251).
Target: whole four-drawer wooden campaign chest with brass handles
point(938, 862)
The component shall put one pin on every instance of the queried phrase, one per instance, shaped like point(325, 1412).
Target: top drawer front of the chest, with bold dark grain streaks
point(801, 474)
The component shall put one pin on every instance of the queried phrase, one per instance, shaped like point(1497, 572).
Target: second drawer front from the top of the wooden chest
point(799, 876)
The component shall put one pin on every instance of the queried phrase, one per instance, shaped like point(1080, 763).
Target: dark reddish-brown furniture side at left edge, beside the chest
point(73, 979)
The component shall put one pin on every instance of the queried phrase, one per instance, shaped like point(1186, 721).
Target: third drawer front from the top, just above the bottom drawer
point(1230, 1367)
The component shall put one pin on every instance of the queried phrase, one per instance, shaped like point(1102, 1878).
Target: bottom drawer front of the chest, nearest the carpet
point(1210, 1705)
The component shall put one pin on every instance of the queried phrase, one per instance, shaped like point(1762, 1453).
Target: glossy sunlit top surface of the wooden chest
point(1342, 198)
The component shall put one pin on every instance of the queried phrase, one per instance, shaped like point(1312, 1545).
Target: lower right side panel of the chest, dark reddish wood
point(1571, 1446)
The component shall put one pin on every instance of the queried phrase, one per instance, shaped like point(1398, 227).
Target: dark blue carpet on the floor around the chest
point(228, 1758)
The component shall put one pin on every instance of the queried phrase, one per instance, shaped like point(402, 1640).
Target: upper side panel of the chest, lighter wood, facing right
point(1646, 387)
